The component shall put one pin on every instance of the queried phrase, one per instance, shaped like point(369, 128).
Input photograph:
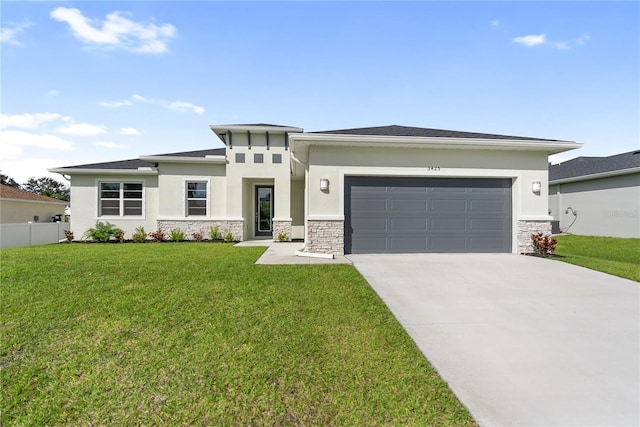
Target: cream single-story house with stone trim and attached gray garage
point(367, 190)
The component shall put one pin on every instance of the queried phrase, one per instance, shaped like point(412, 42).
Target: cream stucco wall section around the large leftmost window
point(84, 203)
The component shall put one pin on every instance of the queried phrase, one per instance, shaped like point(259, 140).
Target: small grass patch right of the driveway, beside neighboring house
point(612, 255)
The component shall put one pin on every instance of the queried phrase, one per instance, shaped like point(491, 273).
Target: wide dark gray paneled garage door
point(386, 215)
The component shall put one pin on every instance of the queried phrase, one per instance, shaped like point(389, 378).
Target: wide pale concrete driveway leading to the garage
point(522, 341)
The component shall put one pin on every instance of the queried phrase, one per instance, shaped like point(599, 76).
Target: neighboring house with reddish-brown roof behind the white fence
point(19, 206)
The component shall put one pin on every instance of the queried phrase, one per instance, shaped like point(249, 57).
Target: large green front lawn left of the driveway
point(196, 334)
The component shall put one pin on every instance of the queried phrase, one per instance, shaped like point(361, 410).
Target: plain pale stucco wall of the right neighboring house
point(606, 207)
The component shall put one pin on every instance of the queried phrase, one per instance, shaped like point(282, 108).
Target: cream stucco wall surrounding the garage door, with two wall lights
point(334, 163)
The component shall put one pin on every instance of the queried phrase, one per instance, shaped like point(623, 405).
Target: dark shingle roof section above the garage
point(394, 130)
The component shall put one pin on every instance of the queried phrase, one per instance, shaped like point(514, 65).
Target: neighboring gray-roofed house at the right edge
point(597, 196)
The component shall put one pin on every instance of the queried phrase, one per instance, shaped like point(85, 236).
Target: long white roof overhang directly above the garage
point(300, 143)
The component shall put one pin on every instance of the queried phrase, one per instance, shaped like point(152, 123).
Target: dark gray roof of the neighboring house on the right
point(582, 166)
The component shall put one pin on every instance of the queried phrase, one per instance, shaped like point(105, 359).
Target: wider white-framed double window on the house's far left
point(120, 199)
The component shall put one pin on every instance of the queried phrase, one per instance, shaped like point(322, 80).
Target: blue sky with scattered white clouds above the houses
point(85, 82)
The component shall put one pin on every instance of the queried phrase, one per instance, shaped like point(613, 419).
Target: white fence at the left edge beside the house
point(31, 233)
